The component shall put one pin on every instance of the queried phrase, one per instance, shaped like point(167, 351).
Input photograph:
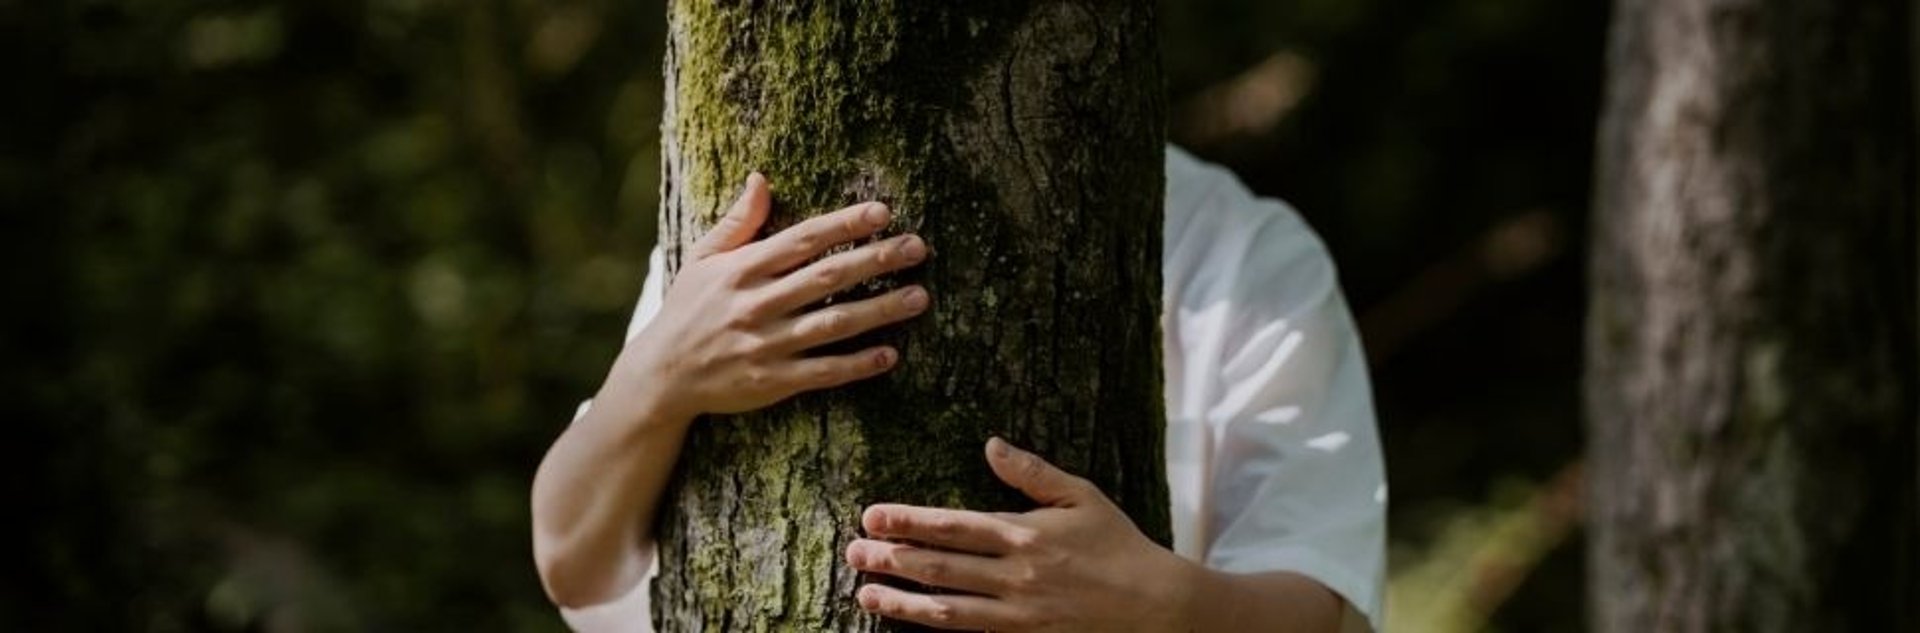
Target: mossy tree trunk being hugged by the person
point(1024, 143)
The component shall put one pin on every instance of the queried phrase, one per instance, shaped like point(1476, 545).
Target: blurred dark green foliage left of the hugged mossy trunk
point(327, 279)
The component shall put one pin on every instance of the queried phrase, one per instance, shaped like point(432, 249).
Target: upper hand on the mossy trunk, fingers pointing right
point(732, 335)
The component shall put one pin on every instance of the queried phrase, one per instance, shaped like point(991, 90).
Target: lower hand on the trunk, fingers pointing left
point(1074, 565)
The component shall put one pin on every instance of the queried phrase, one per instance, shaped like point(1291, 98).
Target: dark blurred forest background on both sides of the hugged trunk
point(299, 293)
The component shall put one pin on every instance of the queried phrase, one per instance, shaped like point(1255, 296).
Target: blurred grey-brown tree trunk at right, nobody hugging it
point(1752, 340)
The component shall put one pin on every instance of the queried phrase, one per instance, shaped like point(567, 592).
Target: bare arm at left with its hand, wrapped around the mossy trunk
point(732, 337)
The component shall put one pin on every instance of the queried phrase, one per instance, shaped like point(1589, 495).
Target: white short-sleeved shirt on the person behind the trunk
point(1274, 461)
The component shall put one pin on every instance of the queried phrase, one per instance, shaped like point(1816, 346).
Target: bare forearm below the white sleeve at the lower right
point(1268, 601)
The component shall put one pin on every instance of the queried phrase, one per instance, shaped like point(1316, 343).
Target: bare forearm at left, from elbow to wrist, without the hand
point(598, 490)
